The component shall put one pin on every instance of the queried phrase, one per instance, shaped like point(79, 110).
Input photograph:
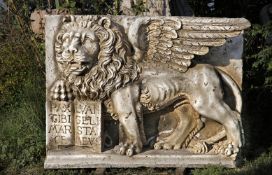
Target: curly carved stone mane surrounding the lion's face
point(115, 67)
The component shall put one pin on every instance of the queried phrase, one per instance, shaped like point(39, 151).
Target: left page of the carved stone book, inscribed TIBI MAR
point(60, 123)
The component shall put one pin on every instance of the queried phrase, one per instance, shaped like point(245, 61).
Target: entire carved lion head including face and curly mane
point(94, 56)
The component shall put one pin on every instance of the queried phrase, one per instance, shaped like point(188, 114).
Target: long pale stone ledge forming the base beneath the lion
point(83, 158)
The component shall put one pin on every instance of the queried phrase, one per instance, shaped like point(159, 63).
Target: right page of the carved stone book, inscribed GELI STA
point(88, 124)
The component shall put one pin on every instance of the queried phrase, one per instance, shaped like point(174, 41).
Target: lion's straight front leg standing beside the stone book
point(127, 108)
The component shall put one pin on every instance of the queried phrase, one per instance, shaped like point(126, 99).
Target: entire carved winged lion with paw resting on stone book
point(146, 67)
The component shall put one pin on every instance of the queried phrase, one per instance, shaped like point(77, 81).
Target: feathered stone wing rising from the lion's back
point(175, 40)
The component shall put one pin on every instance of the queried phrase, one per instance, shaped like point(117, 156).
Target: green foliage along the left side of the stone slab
point(21, 91)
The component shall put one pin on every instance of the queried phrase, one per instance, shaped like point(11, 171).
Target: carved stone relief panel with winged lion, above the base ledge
point(141, 72)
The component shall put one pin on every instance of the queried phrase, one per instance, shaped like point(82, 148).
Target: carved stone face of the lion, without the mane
point(78, 52)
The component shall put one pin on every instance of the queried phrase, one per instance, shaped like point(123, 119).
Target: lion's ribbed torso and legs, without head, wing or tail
point(159, 88)
